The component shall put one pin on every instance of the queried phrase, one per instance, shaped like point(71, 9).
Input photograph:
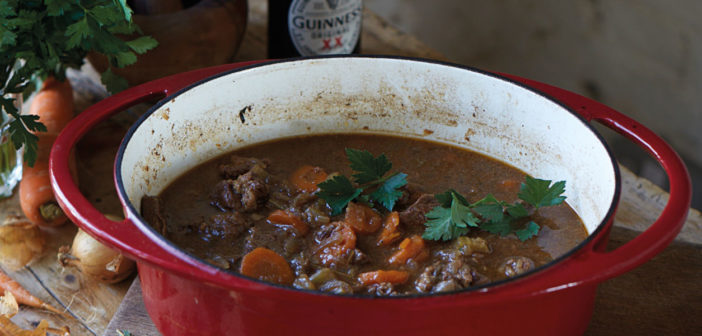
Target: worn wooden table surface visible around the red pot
point(662, 297)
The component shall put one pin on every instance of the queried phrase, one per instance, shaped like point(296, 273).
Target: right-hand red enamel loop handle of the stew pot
point(594, 266)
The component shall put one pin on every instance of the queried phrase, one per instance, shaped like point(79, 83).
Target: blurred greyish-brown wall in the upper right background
point(642, 57)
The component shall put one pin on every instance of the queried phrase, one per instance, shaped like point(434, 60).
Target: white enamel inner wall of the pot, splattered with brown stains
point(377, 95)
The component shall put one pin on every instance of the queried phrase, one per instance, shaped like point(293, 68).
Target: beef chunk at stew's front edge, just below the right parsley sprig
point(451, 272)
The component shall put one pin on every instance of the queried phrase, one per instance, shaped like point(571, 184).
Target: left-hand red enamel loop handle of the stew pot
point(123, 235)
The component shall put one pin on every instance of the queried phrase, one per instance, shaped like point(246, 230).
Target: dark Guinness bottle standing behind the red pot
point(313, 27)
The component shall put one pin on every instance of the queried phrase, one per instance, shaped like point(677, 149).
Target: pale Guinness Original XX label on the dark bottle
point(323, 27)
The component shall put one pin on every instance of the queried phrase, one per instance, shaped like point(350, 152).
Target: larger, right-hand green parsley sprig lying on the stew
point(455, 215)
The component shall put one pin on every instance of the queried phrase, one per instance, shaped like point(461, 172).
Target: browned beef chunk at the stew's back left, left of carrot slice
point(247, 192)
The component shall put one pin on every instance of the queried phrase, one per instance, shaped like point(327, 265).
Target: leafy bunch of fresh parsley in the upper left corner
point(41, 38)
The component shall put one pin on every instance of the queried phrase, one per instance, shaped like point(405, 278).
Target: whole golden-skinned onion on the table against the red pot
point(95, 260)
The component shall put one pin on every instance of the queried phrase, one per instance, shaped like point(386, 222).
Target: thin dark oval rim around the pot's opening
point(161, 241)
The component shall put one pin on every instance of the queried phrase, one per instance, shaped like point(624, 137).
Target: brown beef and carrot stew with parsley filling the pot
point(366, 214)
